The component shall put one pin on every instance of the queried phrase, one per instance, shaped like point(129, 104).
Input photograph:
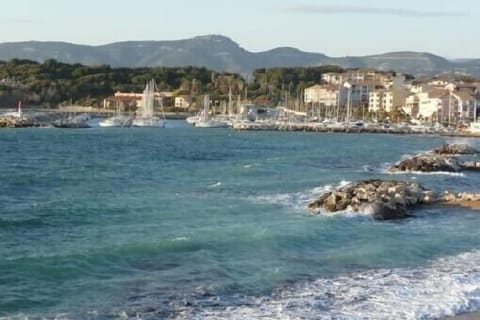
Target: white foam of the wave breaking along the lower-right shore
point(447, 287)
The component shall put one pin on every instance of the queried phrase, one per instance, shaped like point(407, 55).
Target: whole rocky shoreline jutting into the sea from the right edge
point(391, 199)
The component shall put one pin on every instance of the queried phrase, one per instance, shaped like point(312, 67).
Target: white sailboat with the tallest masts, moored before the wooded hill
point(146, 118)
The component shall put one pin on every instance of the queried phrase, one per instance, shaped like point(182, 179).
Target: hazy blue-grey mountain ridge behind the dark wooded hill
point(221, 53)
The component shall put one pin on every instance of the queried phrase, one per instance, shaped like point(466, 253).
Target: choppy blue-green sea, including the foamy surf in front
point(189, 223)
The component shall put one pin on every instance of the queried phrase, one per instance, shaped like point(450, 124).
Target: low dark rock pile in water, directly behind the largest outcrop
point(428, 163)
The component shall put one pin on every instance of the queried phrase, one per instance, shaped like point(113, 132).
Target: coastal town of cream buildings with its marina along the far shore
point(354, 100)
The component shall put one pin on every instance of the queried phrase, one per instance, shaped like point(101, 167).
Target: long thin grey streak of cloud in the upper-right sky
point(319, 9)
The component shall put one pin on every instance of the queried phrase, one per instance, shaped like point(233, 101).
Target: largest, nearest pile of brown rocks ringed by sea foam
point(384, 200)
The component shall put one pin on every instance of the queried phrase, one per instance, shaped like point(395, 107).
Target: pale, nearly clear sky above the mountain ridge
point(333, 27)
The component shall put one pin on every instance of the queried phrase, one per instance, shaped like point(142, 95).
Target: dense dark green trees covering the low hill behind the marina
point(53, 83)
